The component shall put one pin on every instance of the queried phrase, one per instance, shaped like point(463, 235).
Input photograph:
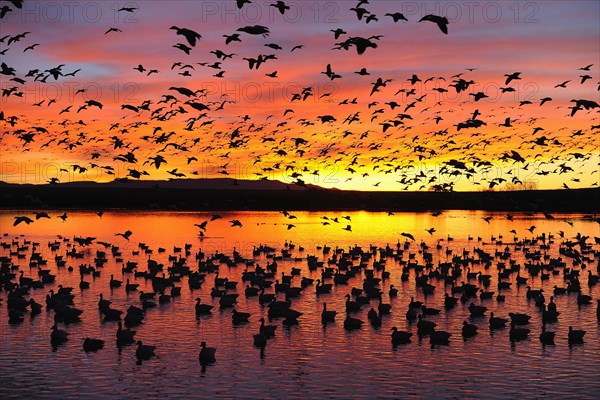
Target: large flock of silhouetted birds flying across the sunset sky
point(187, 125)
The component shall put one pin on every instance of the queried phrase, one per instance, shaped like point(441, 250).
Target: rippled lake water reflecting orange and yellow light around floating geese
point(308, 359)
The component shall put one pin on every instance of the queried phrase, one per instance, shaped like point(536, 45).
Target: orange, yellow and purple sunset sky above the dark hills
point(248, 124)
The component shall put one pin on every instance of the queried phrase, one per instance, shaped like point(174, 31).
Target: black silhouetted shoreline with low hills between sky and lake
point(276, 196)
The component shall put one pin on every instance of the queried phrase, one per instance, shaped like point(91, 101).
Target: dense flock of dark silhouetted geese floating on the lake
point(465, 277)
